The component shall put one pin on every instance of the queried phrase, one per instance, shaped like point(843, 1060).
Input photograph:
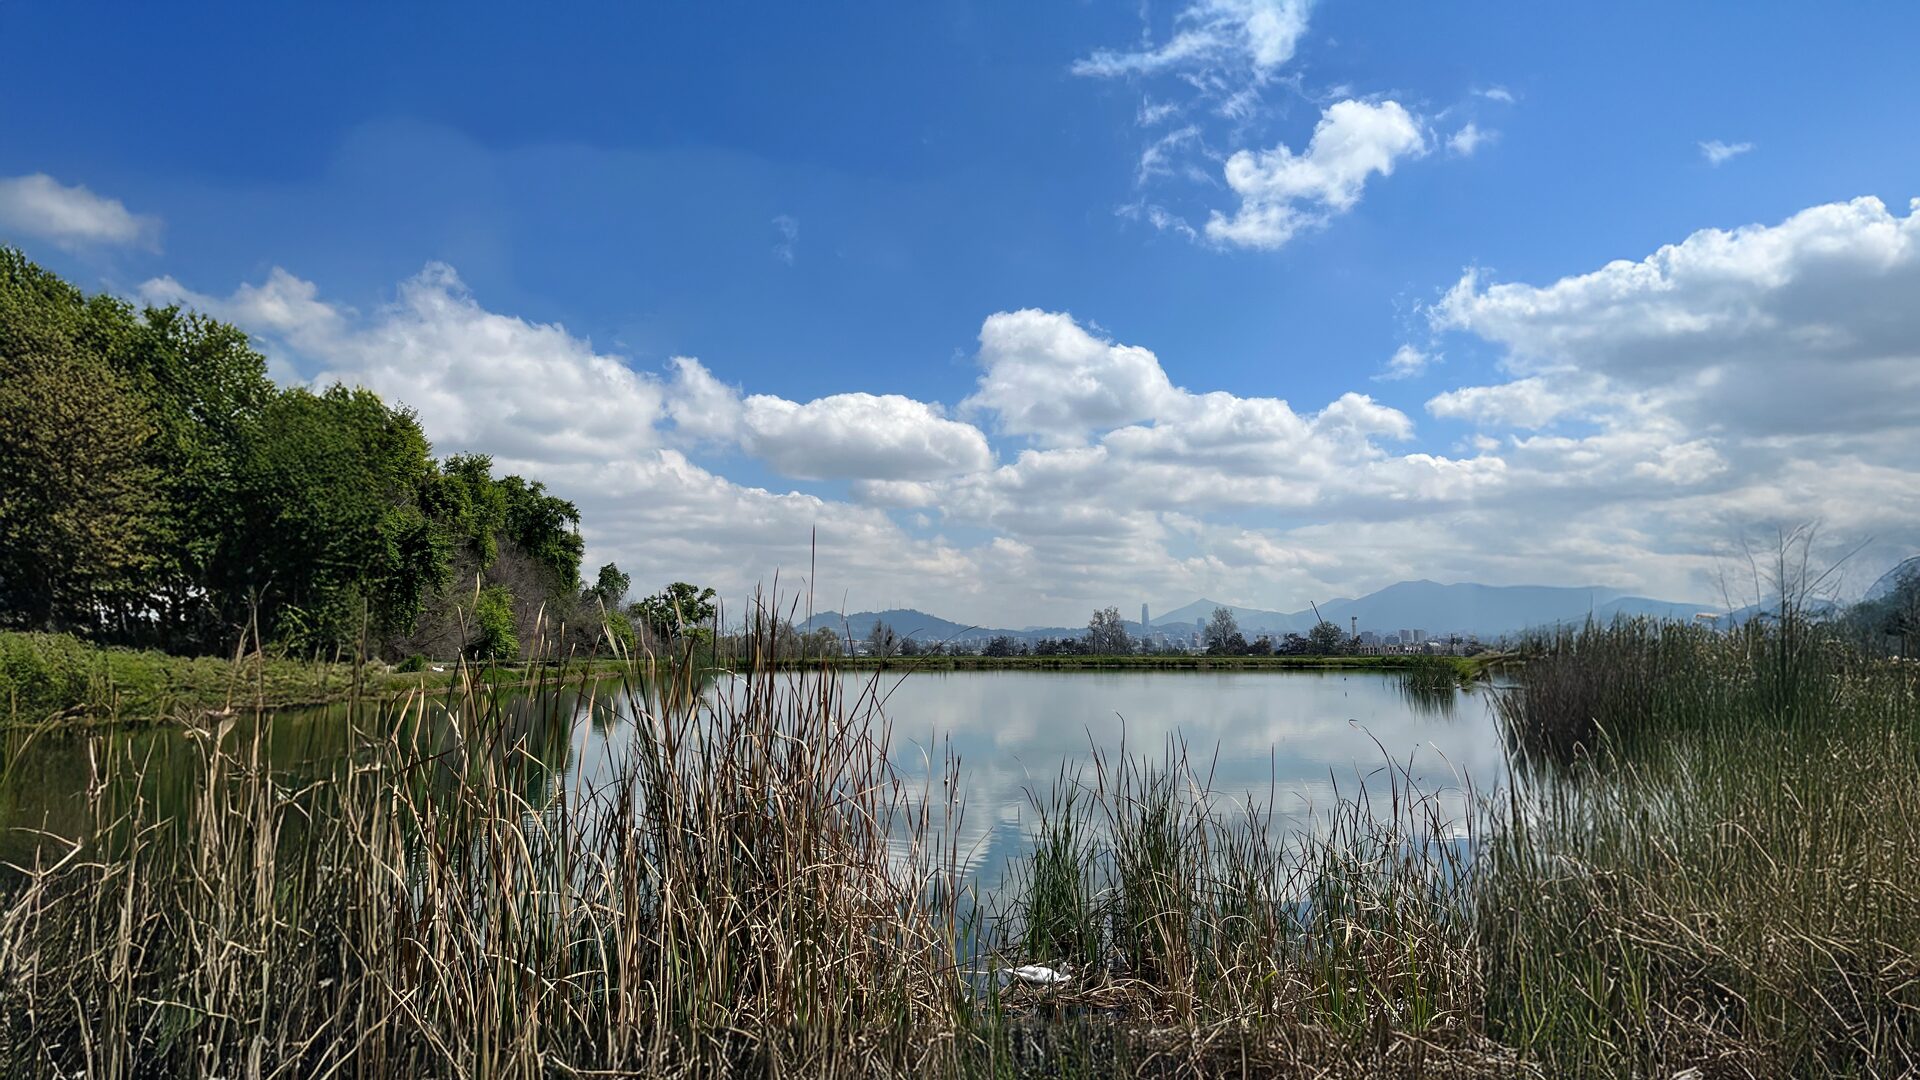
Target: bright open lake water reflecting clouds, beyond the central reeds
point(1301, 739)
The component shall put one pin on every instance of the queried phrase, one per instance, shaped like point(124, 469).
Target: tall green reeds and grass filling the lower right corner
point(1716, 860)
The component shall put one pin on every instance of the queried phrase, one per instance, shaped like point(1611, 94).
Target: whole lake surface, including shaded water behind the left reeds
point(1299, 739)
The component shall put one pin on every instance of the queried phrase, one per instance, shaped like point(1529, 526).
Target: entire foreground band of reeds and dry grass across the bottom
point(756, 891)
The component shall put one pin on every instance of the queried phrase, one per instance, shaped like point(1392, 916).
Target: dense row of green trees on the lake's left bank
point(158, 489)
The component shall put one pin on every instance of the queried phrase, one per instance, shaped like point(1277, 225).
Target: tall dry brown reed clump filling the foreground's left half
point(441, 906)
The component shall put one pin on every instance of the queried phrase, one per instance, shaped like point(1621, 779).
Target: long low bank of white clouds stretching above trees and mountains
point(1644, 412)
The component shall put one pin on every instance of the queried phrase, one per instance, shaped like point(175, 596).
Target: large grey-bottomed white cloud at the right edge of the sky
point(1792, 328)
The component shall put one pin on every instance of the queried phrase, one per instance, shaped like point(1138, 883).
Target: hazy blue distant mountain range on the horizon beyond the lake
point(1433, 608)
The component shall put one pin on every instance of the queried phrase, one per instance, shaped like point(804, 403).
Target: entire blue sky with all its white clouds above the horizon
point(828, 207)
